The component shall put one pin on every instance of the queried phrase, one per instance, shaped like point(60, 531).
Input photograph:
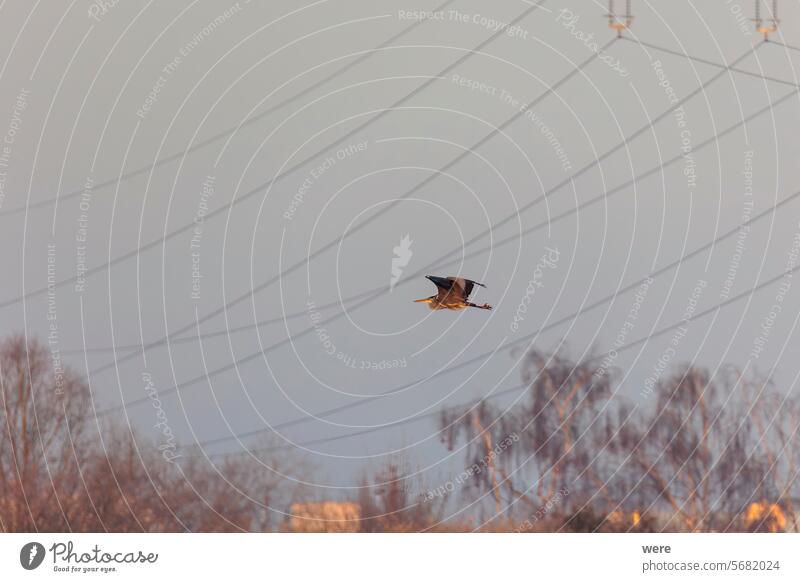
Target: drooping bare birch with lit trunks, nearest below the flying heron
point(555, 431)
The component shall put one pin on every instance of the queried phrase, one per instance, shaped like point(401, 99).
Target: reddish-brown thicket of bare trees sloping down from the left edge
point(61, 471)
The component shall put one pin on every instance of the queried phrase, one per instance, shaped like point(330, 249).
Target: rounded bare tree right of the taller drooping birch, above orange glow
point(693, 451)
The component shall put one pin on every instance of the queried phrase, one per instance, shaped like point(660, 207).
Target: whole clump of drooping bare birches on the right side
point(697, 457)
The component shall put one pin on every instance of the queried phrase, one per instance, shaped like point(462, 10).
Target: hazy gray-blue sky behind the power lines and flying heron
point(89, 95)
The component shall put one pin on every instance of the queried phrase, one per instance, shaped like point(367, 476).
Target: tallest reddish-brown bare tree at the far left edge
point(42, 438)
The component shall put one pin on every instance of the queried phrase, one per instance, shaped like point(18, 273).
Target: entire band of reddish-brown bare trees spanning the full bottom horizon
point(706, 453)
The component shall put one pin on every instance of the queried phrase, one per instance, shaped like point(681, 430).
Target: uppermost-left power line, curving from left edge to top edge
point(231, 130)
